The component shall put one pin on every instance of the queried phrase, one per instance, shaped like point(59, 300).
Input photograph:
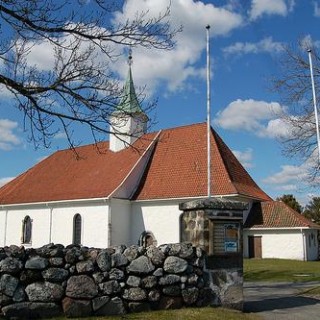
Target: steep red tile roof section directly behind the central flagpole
point(179, 167)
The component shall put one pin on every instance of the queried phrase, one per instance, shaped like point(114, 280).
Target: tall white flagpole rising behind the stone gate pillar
point(208, 114)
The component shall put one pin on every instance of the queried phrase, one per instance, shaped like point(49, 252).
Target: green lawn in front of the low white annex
point(277, 270)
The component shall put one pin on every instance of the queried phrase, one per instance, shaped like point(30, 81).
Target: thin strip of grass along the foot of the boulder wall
point(181, 314)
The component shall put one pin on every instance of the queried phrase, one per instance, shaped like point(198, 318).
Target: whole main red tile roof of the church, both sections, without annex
point(176, 169)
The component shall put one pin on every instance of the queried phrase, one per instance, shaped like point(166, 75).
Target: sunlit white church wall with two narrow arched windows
point(54, 223)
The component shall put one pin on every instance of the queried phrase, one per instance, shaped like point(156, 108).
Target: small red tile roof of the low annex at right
point(276, 214)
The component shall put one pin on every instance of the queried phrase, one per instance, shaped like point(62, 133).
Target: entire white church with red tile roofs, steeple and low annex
point(129, 192)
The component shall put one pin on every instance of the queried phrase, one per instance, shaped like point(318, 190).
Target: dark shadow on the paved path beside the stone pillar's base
point(278, 303)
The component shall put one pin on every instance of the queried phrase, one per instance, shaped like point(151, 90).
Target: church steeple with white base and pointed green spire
point(128, 121)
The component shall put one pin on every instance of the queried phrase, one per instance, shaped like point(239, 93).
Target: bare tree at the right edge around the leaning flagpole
point(294, 86)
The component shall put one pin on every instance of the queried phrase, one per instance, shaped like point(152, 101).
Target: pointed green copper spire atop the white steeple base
point(129, 103)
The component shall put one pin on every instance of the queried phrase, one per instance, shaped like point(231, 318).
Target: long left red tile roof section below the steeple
point(91, 173)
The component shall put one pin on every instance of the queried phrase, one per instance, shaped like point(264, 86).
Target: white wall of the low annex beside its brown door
point(278, 243)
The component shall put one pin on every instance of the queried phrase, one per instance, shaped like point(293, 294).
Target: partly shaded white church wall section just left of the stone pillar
point(162, 218)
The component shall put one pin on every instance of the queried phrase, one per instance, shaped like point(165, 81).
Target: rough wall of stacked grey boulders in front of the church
point(78, 281)
